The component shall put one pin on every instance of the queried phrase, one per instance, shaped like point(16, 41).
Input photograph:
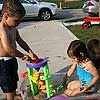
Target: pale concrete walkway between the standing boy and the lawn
point(49, 40)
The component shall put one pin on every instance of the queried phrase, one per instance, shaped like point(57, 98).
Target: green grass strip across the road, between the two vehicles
point(68, 4)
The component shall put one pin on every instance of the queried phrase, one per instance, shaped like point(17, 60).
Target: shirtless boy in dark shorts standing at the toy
point(12, 14)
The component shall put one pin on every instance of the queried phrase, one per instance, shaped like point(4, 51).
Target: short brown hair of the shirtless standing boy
point(13, 8)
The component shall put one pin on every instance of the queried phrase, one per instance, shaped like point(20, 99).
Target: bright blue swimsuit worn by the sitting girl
point(85, 77)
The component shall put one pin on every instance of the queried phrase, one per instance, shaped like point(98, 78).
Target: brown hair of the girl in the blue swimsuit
point(78, 49)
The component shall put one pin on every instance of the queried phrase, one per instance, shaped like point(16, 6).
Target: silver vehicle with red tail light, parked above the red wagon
point(91, 7)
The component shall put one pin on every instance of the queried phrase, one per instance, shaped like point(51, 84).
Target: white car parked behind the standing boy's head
point(34, 8)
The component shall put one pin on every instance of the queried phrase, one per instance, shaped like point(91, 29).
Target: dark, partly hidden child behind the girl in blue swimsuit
point(93, 46)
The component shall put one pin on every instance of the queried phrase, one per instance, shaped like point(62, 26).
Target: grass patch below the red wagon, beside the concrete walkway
point(85, 34)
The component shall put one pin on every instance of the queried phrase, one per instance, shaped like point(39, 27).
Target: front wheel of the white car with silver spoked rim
point(45, 14)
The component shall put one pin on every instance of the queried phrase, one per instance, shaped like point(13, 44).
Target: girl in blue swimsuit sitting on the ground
point(86, 71)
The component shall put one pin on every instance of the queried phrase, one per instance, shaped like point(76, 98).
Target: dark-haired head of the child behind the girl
point(93, 46)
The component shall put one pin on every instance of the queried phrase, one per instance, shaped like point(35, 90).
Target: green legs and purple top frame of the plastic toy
point(36, 66)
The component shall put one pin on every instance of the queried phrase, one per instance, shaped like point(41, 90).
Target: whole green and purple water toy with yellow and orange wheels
point(32, 68)
